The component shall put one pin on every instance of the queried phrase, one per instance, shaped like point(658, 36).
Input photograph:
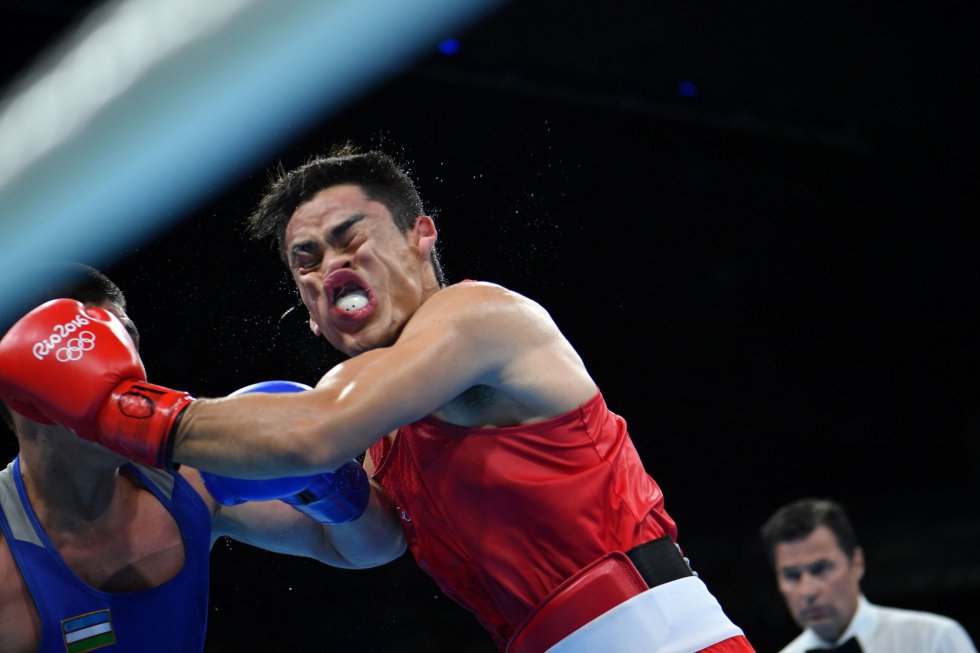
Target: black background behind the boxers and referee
point(755, 223)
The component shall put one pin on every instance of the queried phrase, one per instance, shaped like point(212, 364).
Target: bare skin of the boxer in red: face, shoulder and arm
point(417, 349)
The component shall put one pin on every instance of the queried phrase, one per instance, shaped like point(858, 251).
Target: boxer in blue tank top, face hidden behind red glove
point(97, 551)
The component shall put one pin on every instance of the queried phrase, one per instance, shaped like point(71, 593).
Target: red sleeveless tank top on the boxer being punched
point(500, 517)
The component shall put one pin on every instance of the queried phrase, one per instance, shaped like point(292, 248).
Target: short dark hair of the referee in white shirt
point(795, 521)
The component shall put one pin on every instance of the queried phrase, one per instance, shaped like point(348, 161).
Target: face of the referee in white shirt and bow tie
point(820, 585)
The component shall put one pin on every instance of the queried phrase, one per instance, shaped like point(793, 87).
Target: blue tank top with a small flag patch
point(75, 617)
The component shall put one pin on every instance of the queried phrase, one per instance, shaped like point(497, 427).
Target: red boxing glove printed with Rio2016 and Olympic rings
point(77, 366)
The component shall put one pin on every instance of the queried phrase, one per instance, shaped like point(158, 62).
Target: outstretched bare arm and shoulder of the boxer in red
point(465, 335)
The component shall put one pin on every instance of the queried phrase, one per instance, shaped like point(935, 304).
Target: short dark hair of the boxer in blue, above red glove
point(59, 280)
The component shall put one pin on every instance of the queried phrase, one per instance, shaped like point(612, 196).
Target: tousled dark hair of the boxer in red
point(378, 175)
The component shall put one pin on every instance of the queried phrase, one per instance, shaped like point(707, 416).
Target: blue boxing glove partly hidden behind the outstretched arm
point(330, 498)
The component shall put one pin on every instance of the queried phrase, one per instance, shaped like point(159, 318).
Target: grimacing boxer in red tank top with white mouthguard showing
point(518, 489)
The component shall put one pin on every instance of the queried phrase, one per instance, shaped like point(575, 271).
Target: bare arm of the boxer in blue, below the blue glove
point(373, 539)
